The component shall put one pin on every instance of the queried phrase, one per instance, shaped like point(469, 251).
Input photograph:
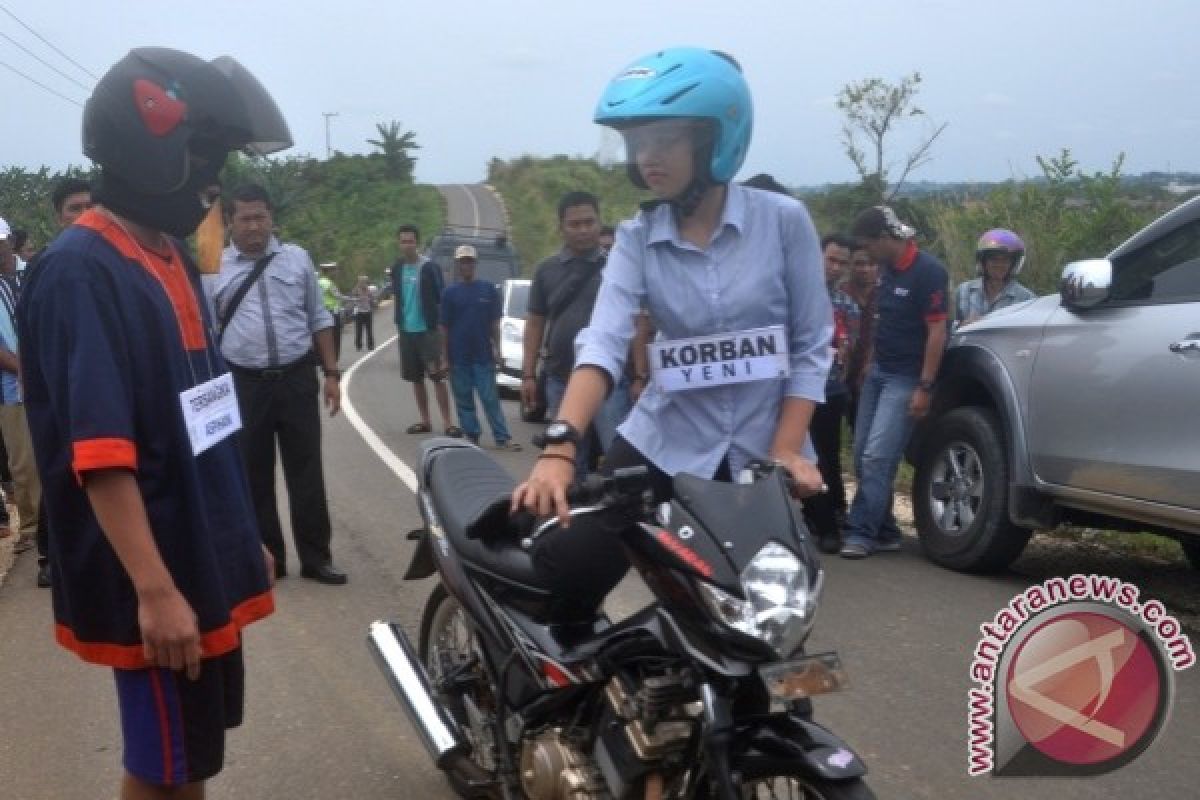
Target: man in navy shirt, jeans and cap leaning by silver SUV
point(909, 340)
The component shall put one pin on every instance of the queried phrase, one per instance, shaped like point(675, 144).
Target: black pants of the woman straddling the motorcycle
point(583, 564)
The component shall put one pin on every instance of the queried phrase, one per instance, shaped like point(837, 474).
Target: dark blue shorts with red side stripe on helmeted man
point(175, 727)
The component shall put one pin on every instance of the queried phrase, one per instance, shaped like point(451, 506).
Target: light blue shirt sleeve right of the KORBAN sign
point(811, 315)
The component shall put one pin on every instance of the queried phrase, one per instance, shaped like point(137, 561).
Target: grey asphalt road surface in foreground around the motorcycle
point(321, 723)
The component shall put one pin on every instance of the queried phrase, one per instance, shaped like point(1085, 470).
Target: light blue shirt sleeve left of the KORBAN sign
point(605, 342)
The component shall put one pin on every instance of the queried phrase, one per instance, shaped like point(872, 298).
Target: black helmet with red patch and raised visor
point(161, 124)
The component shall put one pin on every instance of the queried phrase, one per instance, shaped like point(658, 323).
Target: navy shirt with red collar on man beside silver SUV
point(913, 293)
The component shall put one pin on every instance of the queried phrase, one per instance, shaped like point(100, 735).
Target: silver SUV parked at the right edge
point(1078, 408)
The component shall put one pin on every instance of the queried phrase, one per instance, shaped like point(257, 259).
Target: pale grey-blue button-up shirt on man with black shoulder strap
point(277, 320)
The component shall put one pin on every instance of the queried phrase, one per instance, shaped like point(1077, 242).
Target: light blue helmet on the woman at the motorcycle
point(686, 83)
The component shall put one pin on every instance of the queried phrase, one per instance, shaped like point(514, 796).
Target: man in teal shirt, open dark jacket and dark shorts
point(417, 286)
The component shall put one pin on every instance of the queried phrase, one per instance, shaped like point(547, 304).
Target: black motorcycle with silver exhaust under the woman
point(704, 694)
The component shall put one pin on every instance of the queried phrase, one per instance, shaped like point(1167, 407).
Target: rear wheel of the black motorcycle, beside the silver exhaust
point(447, 643)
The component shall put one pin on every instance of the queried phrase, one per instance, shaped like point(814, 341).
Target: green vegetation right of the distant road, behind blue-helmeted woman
point(1065, 215)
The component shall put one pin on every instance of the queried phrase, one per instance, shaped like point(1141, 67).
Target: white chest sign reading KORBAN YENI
point(721, 359)
